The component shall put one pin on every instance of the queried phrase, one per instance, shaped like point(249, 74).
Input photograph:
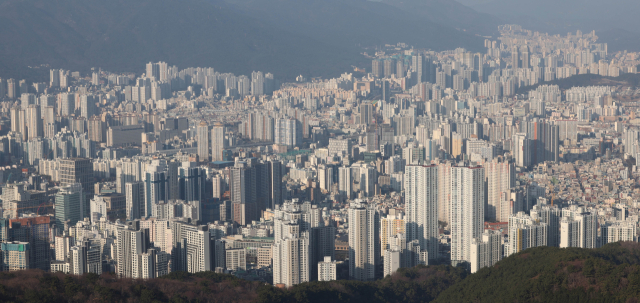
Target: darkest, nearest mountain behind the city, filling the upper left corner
point(122, 35)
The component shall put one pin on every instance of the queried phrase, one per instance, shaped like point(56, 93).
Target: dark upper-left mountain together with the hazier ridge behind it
point(285, 37)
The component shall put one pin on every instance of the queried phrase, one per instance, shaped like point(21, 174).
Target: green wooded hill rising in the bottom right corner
point(549, 274)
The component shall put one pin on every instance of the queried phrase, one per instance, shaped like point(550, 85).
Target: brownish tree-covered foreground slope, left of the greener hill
point(421, 284)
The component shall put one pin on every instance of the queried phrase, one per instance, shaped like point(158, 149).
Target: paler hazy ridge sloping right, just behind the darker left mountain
point(357, 22)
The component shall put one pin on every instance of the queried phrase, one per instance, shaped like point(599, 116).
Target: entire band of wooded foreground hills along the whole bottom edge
point(543, 274)
